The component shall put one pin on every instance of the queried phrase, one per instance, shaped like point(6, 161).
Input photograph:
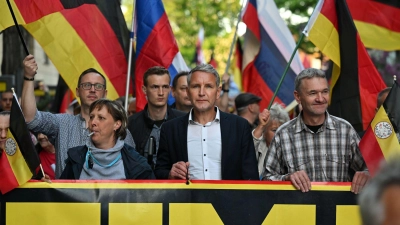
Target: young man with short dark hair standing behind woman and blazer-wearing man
point(147, 123)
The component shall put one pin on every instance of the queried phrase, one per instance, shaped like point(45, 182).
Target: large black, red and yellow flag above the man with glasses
point(77, 35)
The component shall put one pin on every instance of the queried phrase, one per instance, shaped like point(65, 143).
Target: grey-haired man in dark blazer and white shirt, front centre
point(206, 143)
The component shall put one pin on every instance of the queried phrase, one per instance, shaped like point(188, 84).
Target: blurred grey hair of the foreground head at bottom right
point(370, 199)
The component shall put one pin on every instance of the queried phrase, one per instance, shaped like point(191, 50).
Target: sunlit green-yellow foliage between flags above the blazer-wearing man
point(217, 17)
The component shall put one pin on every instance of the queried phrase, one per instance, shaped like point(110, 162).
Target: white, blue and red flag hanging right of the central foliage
point(268, 46)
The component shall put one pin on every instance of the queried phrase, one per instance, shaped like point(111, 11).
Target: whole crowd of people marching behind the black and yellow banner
point(196, 137)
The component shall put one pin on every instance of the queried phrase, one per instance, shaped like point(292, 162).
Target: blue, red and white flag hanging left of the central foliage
point(155, 46)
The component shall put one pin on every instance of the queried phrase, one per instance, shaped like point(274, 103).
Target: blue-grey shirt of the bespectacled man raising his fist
point(67, 130)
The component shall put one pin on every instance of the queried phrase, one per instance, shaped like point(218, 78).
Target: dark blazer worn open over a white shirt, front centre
point(238, 159)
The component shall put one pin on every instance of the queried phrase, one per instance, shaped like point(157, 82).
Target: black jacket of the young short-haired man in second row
point(140, 126)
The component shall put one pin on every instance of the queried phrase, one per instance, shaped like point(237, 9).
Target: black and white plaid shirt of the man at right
point(329, 155)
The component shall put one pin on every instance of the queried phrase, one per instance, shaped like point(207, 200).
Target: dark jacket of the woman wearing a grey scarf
point(135, 165)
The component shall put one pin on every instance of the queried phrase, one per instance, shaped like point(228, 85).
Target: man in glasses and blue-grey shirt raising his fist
point(67, 130)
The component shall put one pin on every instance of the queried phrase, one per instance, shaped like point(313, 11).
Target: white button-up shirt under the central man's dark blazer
point(204, 148)
